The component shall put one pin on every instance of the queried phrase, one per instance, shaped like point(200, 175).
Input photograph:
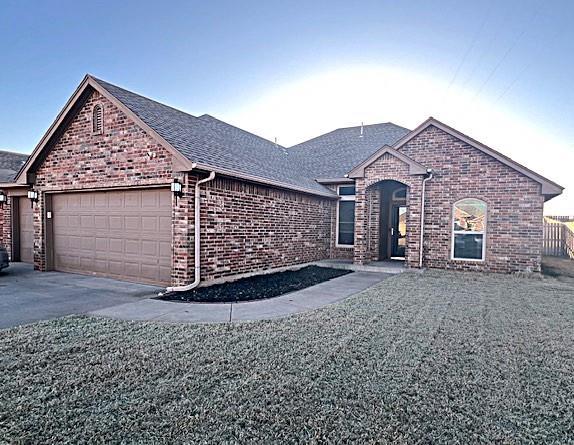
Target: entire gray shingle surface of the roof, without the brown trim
point(209, 141)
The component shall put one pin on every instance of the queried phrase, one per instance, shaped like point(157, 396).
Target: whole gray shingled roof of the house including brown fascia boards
point(211, 144)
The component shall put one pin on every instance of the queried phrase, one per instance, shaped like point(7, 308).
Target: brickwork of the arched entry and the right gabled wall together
point(514, 205)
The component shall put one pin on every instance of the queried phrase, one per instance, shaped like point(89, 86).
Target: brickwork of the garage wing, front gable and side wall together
point(245, 228)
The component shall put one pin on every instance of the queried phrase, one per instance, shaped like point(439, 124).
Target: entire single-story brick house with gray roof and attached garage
point(103, 171)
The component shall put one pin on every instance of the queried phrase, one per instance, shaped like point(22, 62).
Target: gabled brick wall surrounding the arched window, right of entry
point(515, 204)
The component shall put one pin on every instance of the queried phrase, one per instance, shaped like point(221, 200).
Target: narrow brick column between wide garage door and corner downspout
point(183, 232)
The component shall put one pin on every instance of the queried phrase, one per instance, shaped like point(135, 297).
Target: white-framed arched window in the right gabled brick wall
point(469, 230)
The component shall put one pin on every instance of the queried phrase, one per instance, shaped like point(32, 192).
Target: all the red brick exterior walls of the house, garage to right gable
point(249, 228)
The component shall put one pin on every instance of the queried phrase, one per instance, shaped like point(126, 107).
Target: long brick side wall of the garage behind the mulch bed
point(248, 228)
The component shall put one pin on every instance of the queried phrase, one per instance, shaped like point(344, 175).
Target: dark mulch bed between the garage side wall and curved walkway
point(258, 287)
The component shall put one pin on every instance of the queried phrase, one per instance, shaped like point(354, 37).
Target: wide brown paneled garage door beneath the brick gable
point(118, 234)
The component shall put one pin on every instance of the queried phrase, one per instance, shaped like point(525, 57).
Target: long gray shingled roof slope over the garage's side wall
point(210, 141)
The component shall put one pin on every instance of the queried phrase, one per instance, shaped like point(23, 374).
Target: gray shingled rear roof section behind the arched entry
point(334, 154)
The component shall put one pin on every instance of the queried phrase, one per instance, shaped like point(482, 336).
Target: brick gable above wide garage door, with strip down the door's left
point(80, 160)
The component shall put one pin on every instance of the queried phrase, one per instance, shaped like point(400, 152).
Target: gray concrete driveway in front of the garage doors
point(27, 296)
